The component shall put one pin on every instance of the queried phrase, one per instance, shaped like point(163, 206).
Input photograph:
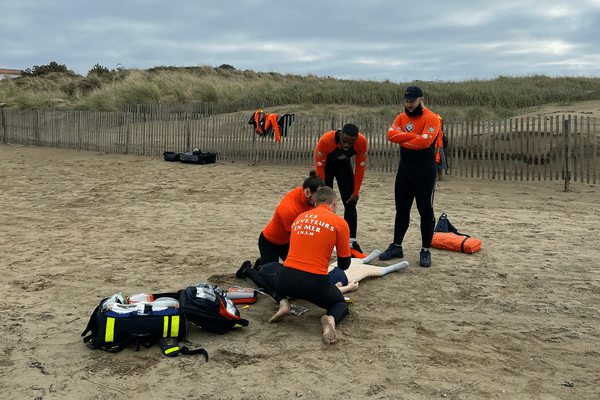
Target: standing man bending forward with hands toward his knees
point(332, 160)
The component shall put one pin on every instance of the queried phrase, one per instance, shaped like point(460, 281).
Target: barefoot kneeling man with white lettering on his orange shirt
point(304, 273)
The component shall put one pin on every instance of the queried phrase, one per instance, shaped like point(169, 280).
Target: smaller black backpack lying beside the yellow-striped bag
point(209, 308)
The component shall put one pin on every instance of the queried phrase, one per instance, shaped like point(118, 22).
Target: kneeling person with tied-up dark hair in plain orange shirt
point(274, 240)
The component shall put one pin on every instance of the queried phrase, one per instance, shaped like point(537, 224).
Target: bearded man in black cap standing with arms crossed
point(416, 131)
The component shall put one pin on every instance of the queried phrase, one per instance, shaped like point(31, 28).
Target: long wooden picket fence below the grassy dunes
point(561, 147)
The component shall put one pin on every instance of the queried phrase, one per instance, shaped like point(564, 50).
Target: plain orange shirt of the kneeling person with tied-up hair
point(291, 205)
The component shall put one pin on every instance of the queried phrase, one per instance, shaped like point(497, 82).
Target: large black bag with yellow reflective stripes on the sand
point(113, 331)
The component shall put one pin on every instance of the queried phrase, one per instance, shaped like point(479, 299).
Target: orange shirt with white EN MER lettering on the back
point(314, 234)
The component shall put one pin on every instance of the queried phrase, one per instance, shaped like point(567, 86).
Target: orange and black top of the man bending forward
point(329, 150)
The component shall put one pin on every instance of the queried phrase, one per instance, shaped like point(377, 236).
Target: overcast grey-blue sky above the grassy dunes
point(401, 41)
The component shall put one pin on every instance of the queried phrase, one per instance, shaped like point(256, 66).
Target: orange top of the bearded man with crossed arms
point(415, 133)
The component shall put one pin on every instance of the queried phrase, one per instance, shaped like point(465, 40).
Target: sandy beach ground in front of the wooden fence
point(517, 320)
